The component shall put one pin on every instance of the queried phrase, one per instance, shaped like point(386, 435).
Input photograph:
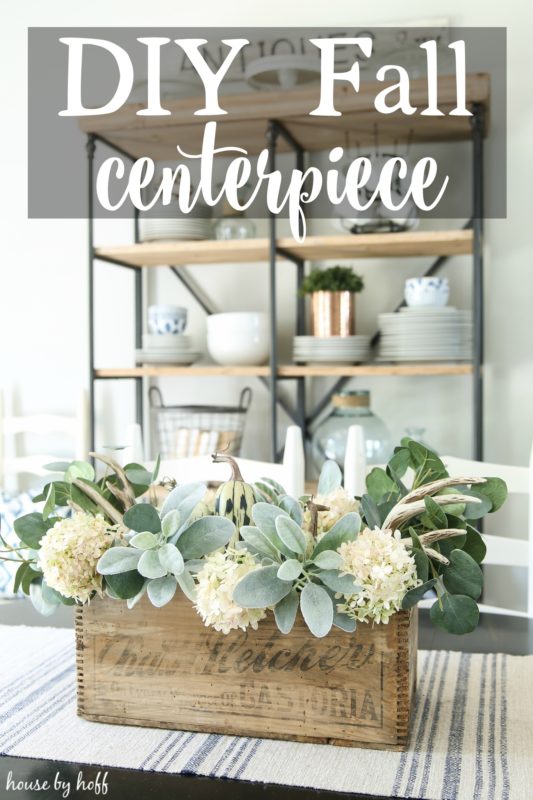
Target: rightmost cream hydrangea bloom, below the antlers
point(385, 571)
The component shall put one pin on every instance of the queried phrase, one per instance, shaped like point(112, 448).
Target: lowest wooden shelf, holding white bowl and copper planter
point(290, 371)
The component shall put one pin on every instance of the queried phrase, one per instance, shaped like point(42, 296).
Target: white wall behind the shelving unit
point(43, 316)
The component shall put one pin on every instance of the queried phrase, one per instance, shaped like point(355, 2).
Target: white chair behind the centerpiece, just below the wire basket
point(290, 474)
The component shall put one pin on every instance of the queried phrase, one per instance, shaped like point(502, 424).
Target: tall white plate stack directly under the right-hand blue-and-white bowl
point(432, 333)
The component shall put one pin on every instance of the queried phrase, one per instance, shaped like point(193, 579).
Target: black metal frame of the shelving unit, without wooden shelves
point(299, 416)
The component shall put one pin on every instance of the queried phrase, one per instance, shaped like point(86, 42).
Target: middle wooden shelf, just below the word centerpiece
point(349, 246)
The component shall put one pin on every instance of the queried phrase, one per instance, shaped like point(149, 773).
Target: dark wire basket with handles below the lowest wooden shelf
point(188, 431)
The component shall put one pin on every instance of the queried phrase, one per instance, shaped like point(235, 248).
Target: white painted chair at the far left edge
point(13, 426)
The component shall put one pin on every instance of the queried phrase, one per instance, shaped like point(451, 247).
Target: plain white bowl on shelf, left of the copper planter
point(238, 338)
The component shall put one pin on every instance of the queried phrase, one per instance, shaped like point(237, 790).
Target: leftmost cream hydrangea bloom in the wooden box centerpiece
point(70, 551)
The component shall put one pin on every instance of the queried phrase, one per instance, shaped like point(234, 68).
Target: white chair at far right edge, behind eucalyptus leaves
point(505, 551)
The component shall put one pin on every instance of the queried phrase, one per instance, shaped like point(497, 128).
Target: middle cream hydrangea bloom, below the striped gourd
point(214, 593)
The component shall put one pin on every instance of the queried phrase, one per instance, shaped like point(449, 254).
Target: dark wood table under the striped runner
point(496, 633)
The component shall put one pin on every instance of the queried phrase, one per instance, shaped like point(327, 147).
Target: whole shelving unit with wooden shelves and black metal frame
point(285, 116)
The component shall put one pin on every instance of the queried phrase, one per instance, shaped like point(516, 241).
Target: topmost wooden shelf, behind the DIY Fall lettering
point(244, 124)
